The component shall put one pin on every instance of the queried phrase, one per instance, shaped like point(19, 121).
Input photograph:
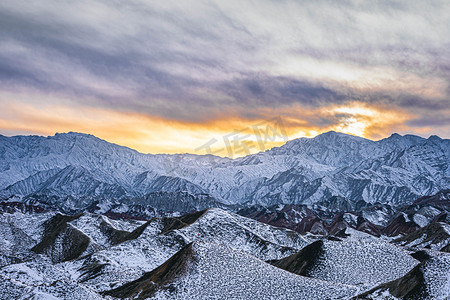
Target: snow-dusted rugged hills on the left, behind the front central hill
point(93, 253)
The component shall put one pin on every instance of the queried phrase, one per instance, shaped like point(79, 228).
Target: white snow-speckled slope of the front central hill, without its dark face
point(220, 271)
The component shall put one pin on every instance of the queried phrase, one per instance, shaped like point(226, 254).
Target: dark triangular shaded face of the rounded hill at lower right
point(301, 262)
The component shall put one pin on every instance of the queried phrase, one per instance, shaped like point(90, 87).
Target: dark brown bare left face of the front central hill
point(157, 279)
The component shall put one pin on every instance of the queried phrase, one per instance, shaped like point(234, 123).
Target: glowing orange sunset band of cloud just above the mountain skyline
point(225, 136)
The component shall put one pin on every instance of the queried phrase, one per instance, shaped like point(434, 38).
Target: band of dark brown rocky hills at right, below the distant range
point(375, 219)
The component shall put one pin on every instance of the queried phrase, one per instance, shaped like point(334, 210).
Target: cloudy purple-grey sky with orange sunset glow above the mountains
point(224, 77)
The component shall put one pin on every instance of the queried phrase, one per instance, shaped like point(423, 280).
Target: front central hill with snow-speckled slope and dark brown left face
point(204, 271)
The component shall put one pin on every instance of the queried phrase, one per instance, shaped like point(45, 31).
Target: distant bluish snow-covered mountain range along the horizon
point(77, 171)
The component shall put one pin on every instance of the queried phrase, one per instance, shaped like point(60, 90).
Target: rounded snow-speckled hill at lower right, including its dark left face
point(364, 262)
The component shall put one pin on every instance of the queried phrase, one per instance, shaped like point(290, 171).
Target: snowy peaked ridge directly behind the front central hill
point(129, 260)
